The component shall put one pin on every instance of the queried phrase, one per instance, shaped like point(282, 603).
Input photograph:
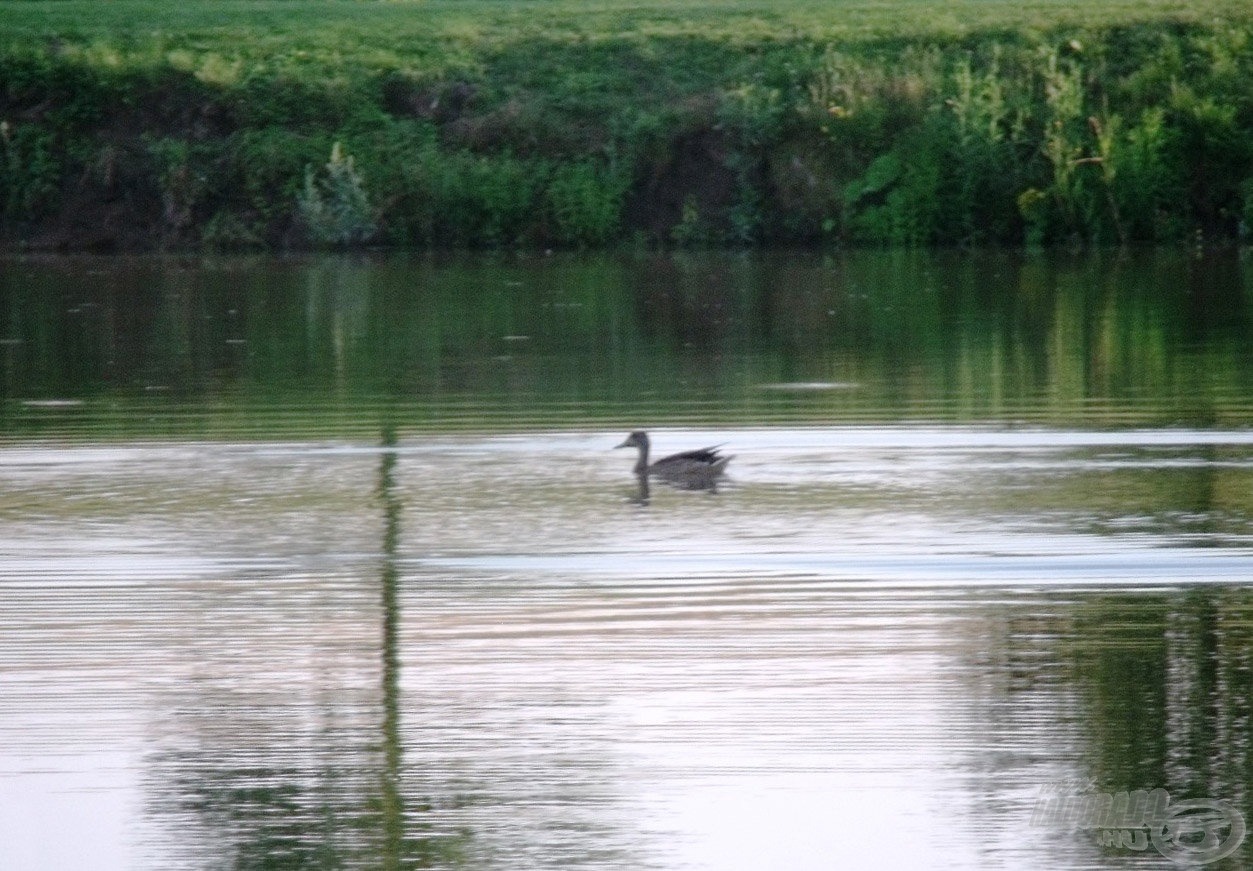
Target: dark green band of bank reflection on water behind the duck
point(284, 348)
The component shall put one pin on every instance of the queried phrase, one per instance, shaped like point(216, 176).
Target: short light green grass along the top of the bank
point(222, 42)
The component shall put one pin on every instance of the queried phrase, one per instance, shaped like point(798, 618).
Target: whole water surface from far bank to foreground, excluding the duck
point(330, 563)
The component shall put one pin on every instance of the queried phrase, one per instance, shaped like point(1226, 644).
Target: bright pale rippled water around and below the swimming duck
point(479, 652)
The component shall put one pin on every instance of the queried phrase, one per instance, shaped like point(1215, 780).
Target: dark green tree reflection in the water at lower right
point(1165, 689)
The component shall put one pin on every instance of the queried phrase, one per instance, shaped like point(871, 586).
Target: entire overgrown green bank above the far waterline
point(447, 123)
